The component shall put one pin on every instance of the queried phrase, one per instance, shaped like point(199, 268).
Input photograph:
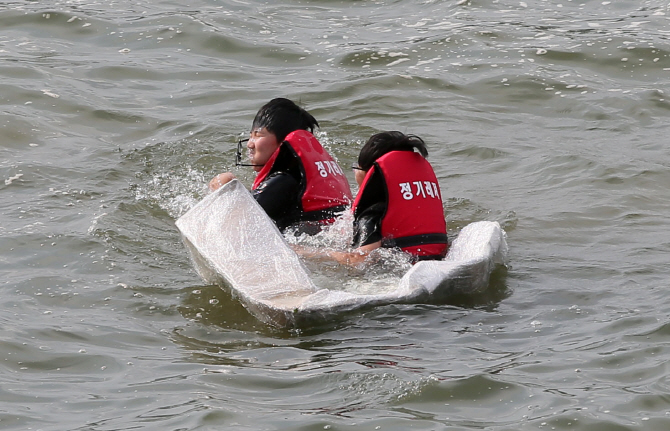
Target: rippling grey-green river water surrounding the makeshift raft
point(548, 116)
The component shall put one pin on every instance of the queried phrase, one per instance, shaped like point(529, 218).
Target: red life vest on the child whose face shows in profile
point(325, 186)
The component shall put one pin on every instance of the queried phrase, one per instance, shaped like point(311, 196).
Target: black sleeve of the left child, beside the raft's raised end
point(277, 195)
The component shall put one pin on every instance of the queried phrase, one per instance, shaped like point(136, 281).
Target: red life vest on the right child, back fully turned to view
point(414, 218)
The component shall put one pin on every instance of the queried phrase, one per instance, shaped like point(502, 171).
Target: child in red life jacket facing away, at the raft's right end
point(399, 203)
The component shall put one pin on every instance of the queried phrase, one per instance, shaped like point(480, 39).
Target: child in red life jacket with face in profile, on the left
point(298, 184)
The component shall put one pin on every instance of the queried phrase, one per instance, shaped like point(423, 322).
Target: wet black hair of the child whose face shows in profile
point(282, 116)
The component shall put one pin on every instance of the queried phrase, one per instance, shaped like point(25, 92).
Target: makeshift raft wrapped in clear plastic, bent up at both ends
point(233, 242)
